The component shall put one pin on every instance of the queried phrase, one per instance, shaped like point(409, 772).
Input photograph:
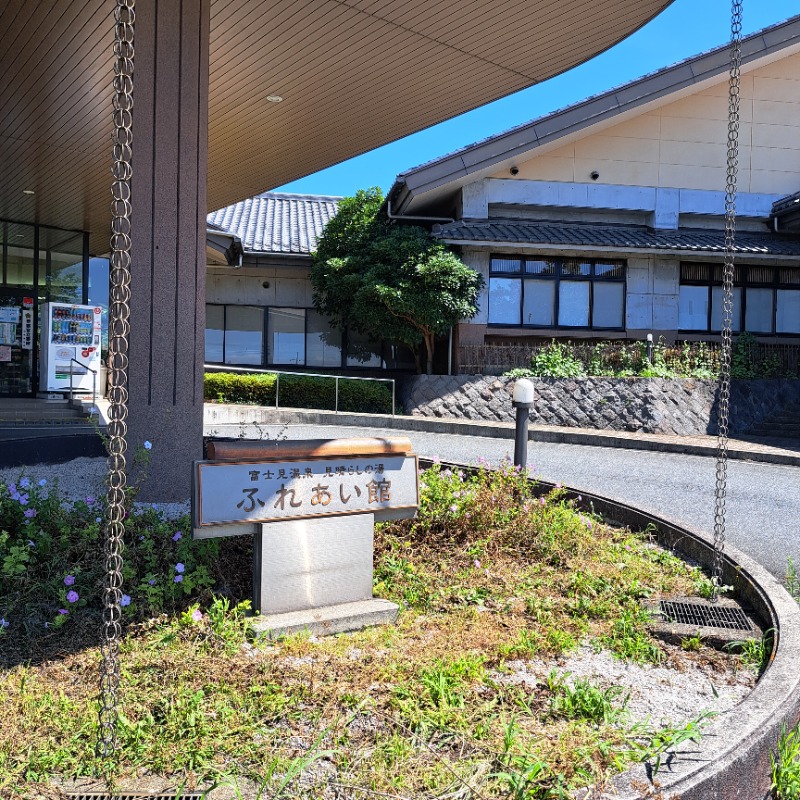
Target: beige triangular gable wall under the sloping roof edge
point(682, 144)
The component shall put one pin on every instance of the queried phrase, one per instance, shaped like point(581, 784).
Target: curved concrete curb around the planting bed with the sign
point(732, 760)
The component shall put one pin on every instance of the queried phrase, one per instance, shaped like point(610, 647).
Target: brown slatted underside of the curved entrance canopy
point(353, 74)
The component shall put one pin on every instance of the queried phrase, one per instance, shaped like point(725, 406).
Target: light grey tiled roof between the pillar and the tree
point(286, 224)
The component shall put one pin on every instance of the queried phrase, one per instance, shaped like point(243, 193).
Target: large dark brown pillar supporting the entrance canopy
point(168, 196)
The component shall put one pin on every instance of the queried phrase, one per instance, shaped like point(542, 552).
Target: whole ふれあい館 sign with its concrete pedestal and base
point(311, 508)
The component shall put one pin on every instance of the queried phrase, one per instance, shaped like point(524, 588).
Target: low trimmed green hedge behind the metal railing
point(299, 391)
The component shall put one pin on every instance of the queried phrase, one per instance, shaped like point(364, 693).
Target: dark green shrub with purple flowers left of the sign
point(52, 566)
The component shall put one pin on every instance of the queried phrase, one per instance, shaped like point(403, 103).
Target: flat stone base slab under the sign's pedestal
point(327, 620)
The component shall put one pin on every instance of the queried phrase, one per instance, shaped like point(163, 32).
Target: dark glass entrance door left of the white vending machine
point(17, 343)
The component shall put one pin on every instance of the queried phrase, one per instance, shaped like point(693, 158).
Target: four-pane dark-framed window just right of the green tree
point(540, 292)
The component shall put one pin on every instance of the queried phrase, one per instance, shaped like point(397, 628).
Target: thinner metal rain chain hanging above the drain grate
point(723, 412)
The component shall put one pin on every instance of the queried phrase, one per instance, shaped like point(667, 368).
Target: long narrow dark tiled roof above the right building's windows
point(619, 237)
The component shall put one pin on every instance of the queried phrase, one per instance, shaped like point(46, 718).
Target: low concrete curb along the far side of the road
point(218, 416)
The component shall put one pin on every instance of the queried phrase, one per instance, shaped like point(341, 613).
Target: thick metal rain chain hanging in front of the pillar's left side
point(118, 332)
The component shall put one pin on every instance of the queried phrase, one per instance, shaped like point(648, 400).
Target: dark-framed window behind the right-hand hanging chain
point(766, 300)
